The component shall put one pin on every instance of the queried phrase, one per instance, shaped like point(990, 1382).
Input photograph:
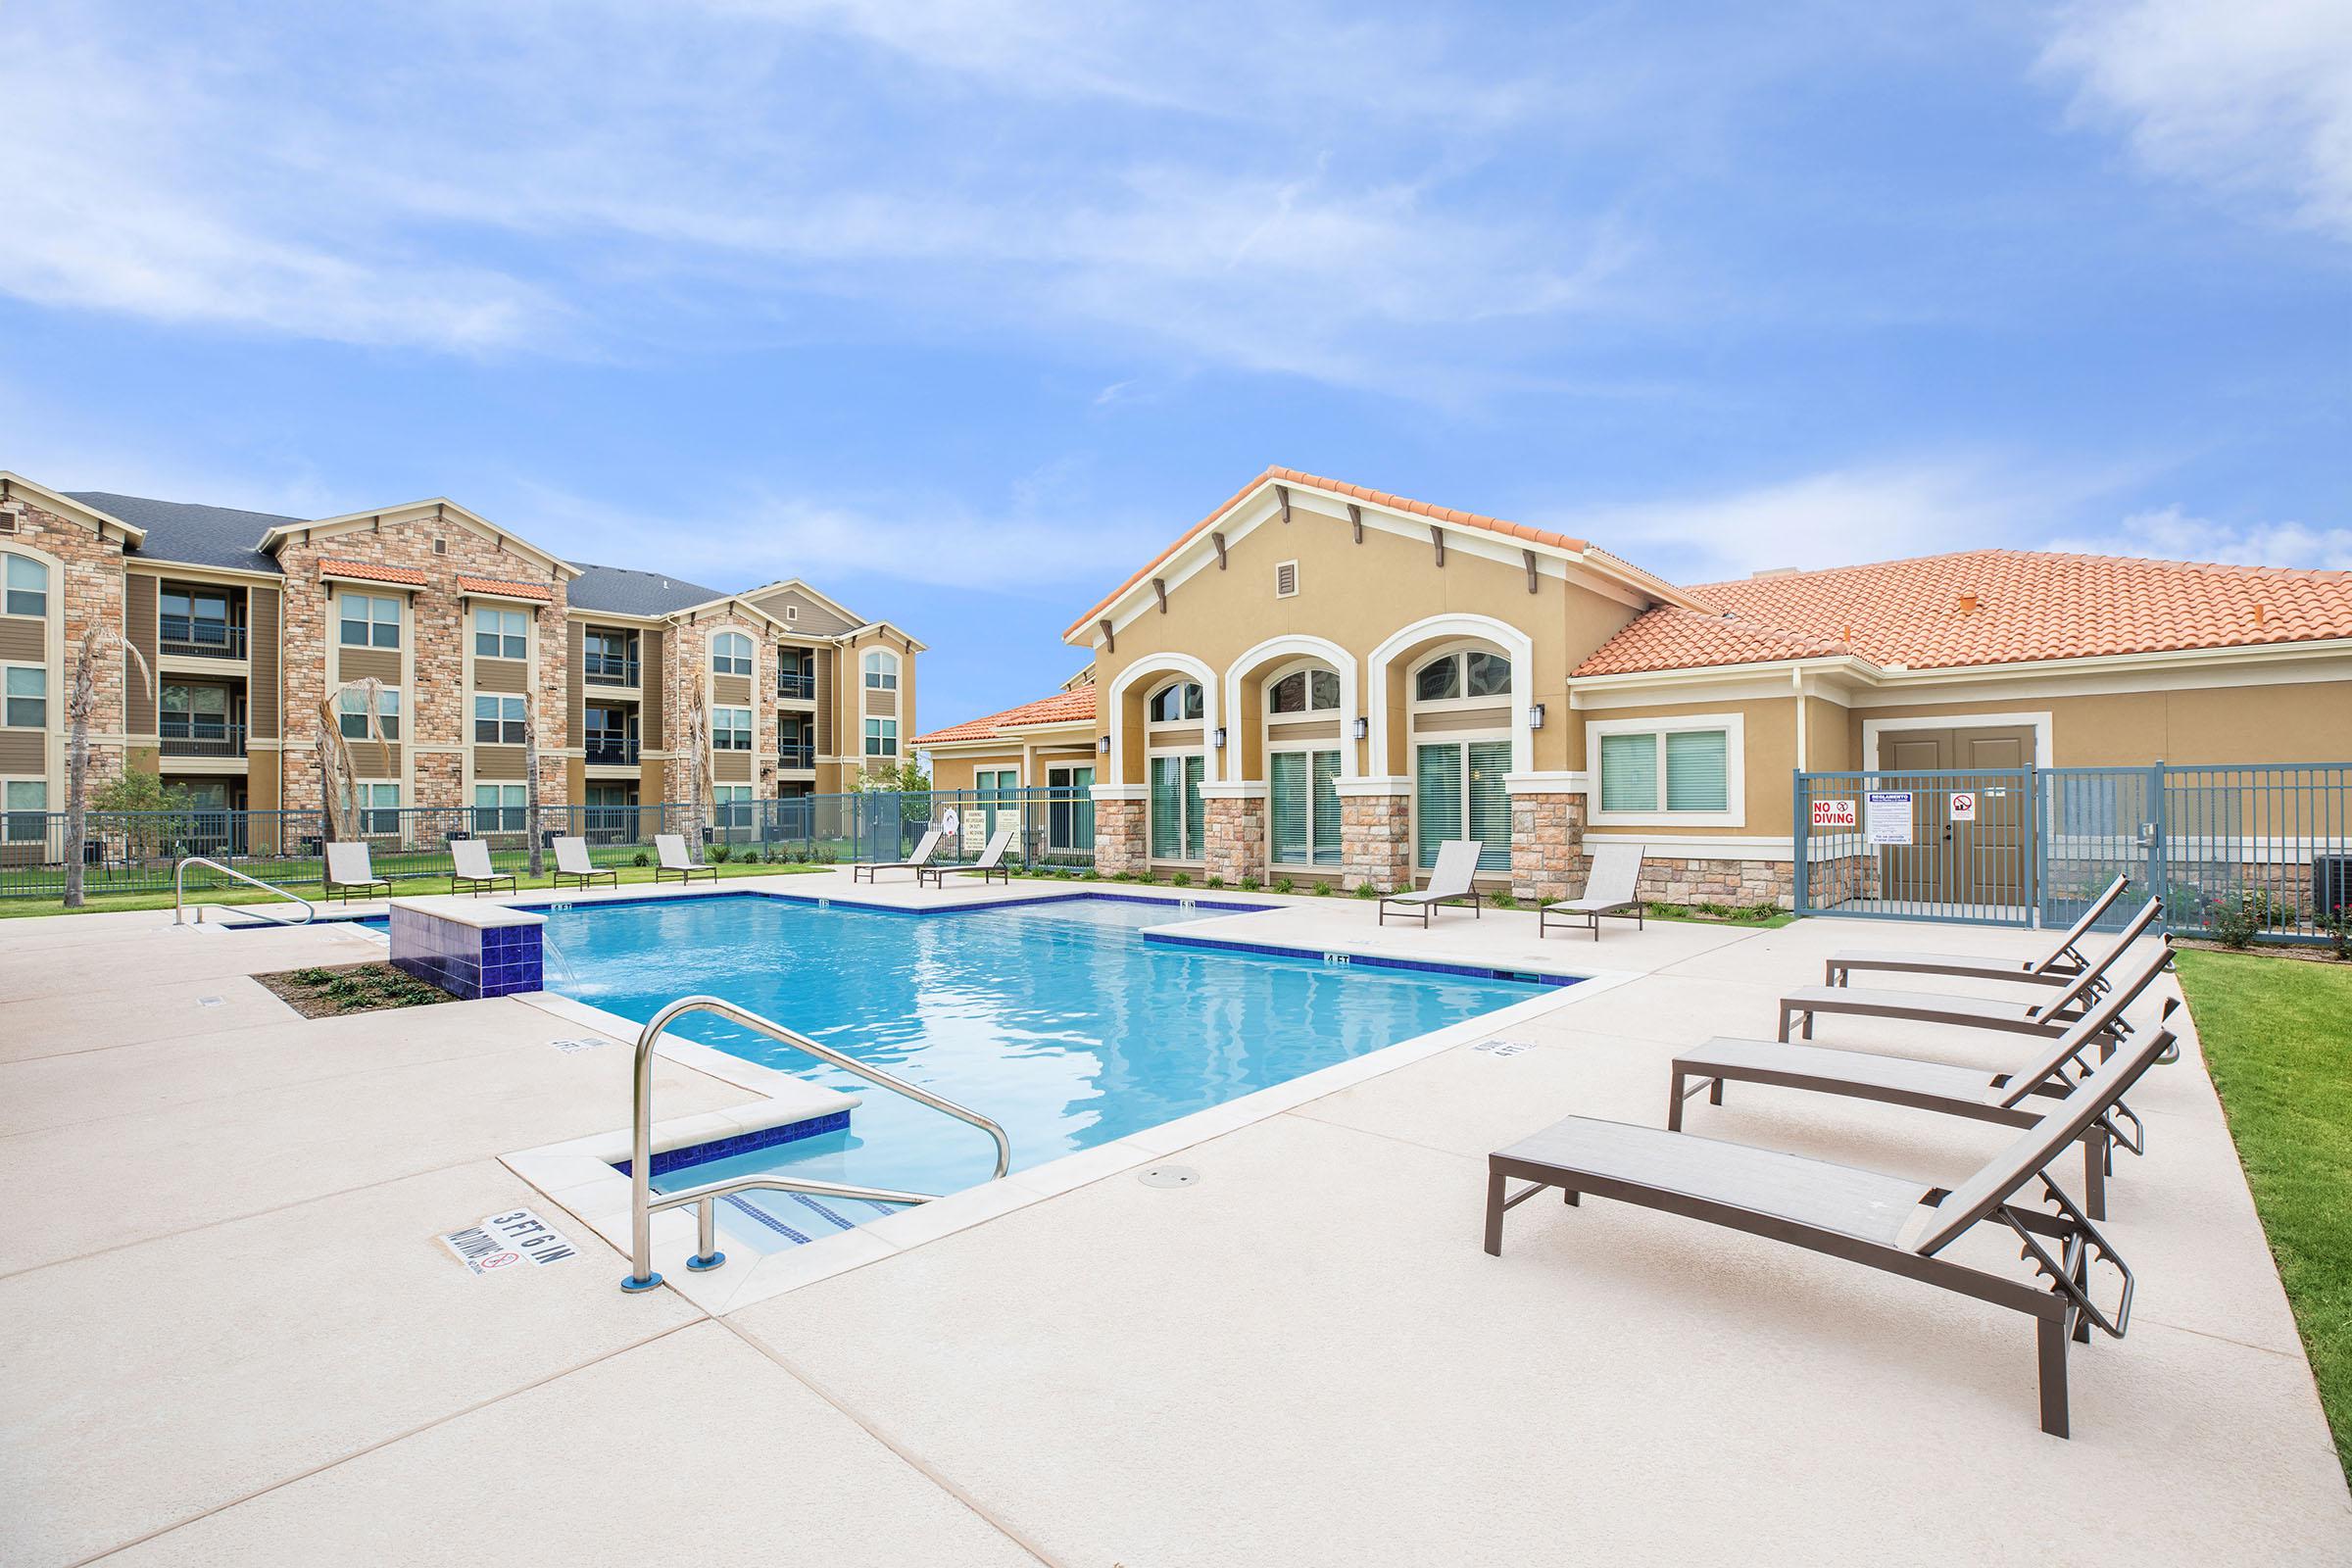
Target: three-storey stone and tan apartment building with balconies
point(462, 636)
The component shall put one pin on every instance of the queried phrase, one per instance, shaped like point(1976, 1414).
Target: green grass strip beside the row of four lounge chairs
point(2276, 1040)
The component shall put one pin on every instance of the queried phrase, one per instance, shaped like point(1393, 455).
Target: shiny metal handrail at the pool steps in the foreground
point(641, 1153)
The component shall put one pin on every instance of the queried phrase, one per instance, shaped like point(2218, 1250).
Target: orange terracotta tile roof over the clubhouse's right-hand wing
point(1986, 608)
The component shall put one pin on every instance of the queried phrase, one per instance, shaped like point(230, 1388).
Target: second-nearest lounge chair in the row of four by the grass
point(2012, 1099)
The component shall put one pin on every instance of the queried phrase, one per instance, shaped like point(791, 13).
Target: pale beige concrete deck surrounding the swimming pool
point(236, 1339)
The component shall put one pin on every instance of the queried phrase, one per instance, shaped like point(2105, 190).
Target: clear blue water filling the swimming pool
point(1055, 1019)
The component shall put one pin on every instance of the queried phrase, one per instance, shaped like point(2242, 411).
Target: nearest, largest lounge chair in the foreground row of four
point(1862, 1217)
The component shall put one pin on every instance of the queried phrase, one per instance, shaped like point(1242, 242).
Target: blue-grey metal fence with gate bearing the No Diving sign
point(2269, 847)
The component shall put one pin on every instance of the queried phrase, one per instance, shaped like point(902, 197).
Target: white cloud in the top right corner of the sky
point(2243, 95)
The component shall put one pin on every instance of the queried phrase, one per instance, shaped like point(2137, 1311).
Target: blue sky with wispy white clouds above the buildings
point(965, 309)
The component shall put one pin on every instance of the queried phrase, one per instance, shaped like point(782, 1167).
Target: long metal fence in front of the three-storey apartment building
point(133, 852)
